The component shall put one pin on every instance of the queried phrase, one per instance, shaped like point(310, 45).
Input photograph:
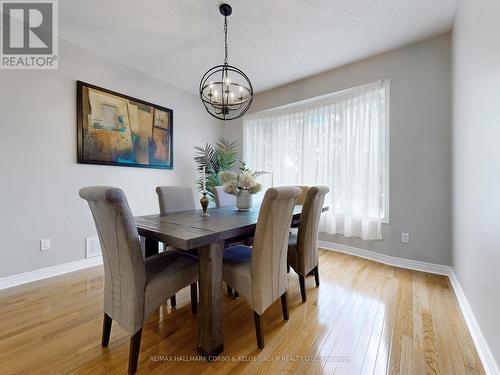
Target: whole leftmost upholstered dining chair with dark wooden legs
point(133, 287)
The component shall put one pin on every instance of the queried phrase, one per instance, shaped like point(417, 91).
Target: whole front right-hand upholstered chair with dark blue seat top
point(259, 273)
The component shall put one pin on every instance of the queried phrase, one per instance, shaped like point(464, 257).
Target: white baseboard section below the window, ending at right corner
point(387, 259)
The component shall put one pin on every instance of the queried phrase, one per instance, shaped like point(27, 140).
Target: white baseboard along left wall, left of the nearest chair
point(44, 273)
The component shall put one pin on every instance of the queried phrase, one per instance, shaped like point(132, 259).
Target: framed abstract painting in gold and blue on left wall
point(114, 129)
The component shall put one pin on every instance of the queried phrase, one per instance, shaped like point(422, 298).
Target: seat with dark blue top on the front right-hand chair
point(237, 270)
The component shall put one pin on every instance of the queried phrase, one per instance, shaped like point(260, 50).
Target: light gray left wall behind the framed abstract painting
point(39, 176)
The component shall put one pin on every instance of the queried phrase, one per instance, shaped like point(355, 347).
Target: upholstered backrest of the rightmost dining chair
point(308, 229)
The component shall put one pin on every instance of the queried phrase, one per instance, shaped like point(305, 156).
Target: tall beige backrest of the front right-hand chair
point(269, 254)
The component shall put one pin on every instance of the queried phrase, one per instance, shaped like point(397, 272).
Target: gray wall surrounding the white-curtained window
point(420, 142)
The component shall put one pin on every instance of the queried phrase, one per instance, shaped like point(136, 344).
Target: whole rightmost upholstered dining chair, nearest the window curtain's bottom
point(302, 250)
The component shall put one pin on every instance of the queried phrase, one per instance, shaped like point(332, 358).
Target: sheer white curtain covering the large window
point(340, 141)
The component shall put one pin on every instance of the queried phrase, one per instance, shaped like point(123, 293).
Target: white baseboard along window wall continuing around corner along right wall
point(487, 359)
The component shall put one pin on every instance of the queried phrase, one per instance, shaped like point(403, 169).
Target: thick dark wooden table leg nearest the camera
point(210, 336)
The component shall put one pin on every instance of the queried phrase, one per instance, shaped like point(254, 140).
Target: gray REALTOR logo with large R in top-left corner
point(29, 34)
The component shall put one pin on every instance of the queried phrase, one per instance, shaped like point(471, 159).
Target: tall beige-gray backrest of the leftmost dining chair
point(124, 272)
